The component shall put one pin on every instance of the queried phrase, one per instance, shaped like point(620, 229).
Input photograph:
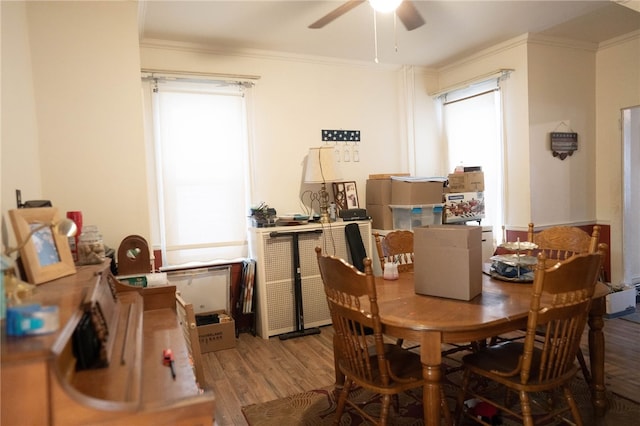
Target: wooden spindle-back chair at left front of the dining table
point(365, 360)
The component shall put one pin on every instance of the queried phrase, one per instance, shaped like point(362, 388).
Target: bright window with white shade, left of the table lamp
point(198, 158)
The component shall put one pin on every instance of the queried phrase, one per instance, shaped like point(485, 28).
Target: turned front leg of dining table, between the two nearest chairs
point(430, 355)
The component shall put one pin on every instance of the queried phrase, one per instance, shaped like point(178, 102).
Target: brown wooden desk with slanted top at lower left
point(40, 384)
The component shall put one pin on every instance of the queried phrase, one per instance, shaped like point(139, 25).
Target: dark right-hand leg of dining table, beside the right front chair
point(596, 356)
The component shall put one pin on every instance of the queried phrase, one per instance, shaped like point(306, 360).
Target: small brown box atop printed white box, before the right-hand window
point(465, 200)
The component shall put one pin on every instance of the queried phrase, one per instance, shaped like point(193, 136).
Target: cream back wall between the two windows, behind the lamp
point(295, 98)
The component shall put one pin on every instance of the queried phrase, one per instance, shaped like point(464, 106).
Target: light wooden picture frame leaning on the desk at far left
point(46, 254)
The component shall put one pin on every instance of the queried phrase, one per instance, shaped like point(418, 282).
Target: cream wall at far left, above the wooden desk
point(73, 73)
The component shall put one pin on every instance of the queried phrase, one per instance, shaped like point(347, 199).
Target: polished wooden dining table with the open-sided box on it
point(501, 308)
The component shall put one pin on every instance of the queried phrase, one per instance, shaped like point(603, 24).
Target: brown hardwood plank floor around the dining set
point(260, 370)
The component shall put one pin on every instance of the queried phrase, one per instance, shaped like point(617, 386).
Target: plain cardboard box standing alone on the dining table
point(448, 261)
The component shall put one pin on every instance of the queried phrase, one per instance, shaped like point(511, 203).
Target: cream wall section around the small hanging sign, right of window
point(561, 99)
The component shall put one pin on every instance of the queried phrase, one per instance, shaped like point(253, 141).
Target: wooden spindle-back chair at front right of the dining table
point(560, 302)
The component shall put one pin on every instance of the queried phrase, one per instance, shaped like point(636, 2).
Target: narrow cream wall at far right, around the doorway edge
point(617, 86)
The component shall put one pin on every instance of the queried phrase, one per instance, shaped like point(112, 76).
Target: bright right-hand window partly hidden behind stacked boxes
point(473, 127)
